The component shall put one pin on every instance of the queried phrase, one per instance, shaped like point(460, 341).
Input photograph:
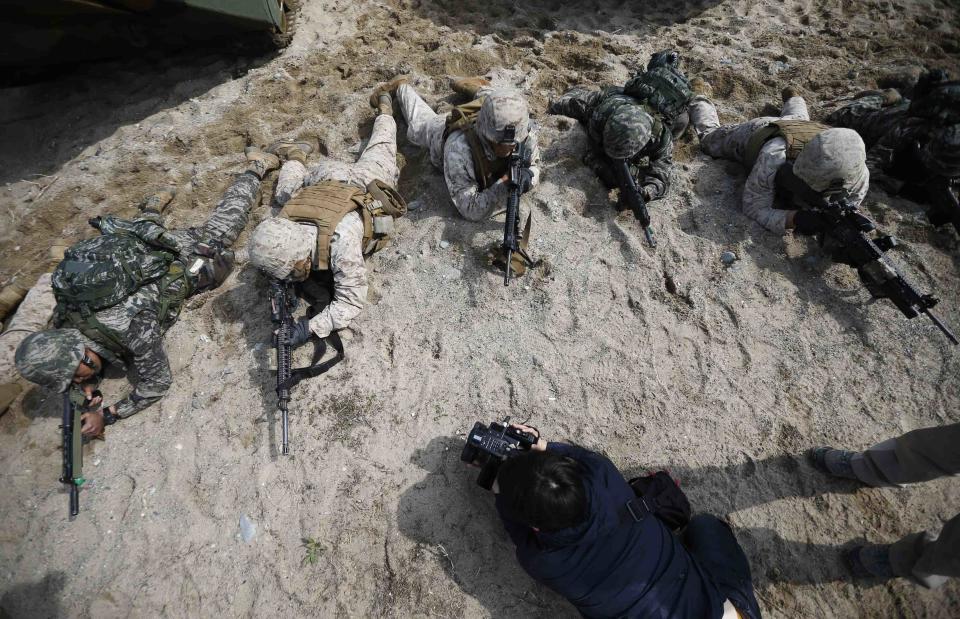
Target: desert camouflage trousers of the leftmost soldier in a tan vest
point(378, 161)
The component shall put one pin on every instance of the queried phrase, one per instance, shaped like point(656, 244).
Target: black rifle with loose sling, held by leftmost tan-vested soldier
point(283, 302)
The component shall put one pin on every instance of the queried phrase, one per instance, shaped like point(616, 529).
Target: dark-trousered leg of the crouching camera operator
point(714, 547)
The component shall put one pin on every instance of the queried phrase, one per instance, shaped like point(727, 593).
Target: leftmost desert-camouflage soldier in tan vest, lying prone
point(333, 215)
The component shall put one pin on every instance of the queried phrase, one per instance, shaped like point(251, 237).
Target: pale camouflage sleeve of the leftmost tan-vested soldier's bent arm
point(349, 278)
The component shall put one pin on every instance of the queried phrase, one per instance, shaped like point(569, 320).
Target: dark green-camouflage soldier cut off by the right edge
point(913, 146)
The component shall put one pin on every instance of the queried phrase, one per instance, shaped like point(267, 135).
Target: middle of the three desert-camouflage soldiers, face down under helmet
point(473, 156)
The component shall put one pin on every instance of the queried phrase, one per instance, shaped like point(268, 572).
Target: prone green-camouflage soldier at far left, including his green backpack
point(117, 294)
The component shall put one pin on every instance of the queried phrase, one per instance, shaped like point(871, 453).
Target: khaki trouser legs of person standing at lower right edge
point(920, 455)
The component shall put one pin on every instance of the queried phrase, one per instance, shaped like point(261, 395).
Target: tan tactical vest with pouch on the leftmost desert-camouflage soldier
point(325, 204)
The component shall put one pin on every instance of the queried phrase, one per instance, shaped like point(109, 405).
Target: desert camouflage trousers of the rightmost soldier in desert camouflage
point(730, 141)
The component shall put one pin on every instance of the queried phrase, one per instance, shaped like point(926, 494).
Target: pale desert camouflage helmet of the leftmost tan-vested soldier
point(278, 243)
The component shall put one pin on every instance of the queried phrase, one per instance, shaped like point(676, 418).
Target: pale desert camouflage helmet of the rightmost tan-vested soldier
point(835, 156)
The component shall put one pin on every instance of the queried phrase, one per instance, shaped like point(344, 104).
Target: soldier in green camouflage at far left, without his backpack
point(64, 357)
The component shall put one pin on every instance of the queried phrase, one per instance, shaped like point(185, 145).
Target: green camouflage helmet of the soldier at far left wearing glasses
point(50, 358)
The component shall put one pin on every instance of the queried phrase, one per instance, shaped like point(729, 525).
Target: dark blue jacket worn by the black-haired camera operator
point(610, 567)
